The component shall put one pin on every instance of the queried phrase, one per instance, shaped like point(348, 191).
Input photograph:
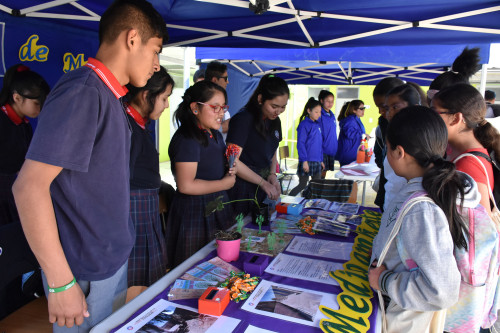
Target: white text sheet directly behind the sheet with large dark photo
point(303, 268)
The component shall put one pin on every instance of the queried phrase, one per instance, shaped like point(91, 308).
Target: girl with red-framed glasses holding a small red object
point(200, 169)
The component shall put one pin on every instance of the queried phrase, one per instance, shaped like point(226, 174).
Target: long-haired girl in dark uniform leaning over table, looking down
point(256, 130)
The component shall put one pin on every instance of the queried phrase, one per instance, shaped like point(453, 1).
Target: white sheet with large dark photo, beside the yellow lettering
point(289, 303)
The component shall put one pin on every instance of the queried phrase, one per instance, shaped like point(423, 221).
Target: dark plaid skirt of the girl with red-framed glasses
point(188, 229)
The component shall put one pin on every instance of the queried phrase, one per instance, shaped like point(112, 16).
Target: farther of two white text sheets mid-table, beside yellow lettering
point(320, 248)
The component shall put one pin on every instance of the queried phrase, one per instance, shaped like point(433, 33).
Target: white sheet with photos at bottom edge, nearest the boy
point(169, 317)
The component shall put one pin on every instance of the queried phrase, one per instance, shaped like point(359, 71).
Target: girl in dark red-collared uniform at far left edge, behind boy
point(22, 96)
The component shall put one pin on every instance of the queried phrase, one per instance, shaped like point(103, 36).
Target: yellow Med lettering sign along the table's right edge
point(355, 306)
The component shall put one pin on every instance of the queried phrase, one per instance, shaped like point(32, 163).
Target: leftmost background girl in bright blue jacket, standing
point(309, 145)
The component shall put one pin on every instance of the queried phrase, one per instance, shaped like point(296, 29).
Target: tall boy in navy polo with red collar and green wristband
point(77, 171)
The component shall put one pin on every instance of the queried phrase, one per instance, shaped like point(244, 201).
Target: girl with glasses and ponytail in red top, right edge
point(463, 109)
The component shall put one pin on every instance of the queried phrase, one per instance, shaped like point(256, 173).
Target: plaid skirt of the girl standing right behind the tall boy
point(148, 260)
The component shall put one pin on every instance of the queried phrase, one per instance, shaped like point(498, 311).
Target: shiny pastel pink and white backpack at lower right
point(479, 297)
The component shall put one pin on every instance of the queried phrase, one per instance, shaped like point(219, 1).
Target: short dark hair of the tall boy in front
point(124, 15)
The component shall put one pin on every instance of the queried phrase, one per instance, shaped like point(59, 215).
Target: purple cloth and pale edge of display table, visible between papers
point(159, 290)
